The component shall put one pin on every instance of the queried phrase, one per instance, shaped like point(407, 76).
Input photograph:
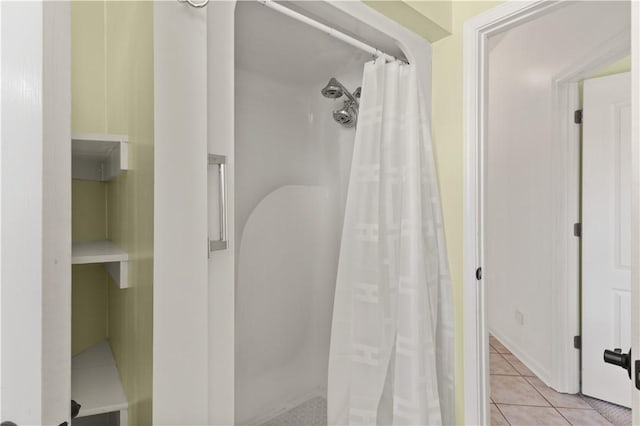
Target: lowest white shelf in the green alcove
point(95, 383)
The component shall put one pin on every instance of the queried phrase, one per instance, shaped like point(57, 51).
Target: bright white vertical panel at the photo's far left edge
point(22, 186)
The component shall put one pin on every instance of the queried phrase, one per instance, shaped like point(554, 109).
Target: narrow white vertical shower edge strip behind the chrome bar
point(221, 278)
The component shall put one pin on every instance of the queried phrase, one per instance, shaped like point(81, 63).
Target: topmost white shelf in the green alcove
point(98, 157)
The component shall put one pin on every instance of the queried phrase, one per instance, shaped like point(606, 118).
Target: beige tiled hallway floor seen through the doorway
point(518, 397)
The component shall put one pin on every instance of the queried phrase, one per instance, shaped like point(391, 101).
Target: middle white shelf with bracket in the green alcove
point(114, 258)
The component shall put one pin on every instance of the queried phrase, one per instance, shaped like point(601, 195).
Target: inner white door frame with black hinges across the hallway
point(566, 311)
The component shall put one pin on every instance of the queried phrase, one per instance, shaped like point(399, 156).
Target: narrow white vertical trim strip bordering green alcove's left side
point(56, 230)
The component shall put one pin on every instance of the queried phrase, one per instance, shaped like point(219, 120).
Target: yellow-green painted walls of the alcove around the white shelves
point(112, 92)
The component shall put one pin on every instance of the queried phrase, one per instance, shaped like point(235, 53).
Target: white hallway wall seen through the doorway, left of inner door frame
point(520, 191)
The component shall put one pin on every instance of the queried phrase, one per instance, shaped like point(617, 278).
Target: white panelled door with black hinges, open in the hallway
point(606, 235)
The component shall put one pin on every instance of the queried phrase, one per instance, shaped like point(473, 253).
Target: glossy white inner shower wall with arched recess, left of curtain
point(292, 164)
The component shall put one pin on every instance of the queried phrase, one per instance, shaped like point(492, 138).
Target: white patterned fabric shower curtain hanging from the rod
point(391, 356)
